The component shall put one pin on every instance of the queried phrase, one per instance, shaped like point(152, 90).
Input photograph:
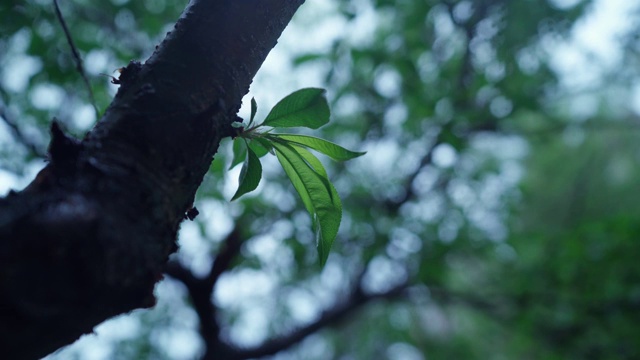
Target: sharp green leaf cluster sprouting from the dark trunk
point(303, 108)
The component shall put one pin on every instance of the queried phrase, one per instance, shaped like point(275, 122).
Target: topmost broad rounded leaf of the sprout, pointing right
point(306, 107)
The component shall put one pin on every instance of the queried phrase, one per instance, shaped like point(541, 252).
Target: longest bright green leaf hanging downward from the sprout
point(326, 208)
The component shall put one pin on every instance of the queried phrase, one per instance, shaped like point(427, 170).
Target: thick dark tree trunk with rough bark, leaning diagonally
point(89, 237)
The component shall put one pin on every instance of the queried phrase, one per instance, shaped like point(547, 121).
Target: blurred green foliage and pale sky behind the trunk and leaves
point(498, 192)
